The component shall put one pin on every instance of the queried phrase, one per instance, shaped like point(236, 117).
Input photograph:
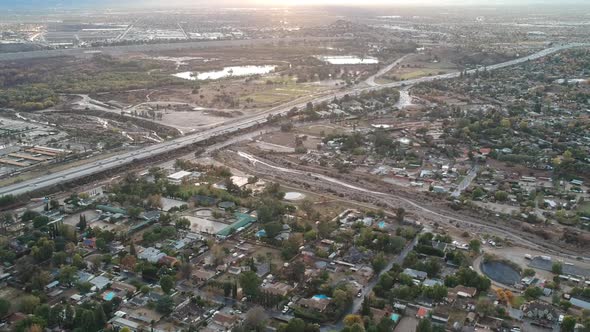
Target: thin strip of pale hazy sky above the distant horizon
point(38, 4)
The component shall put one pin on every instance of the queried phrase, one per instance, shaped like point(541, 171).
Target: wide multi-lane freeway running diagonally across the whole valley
point(74, 173)
